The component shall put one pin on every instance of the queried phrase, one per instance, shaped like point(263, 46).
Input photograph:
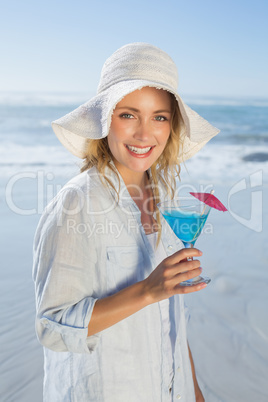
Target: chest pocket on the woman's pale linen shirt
point(124, 267)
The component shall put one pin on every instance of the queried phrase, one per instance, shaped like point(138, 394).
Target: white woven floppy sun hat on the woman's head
point(131, 67)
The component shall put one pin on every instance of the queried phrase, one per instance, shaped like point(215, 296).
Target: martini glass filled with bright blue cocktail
point(186, 218)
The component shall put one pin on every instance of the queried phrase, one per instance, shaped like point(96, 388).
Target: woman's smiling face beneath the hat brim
point(140, 128)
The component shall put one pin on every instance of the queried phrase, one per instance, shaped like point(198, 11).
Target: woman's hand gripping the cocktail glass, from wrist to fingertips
point(165, 280)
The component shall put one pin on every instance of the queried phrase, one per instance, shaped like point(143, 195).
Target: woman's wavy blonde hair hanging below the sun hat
point(165, 169)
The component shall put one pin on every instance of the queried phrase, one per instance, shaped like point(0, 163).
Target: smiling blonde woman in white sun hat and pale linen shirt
point(110, 309)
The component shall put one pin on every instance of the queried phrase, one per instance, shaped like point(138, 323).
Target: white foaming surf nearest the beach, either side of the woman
point(216, 162)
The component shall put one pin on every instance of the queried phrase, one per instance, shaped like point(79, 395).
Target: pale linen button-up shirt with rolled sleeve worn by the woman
point(88, 246)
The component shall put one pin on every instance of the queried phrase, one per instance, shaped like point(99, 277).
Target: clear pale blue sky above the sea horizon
point(219, 47)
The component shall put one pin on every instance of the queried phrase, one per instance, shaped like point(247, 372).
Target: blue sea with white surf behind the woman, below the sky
point(28, 143)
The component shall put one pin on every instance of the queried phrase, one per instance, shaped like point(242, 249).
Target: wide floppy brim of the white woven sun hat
point(92, 120)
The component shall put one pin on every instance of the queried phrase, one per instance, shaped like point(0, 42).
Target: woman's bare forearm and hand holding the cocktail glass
point(161, 284)
